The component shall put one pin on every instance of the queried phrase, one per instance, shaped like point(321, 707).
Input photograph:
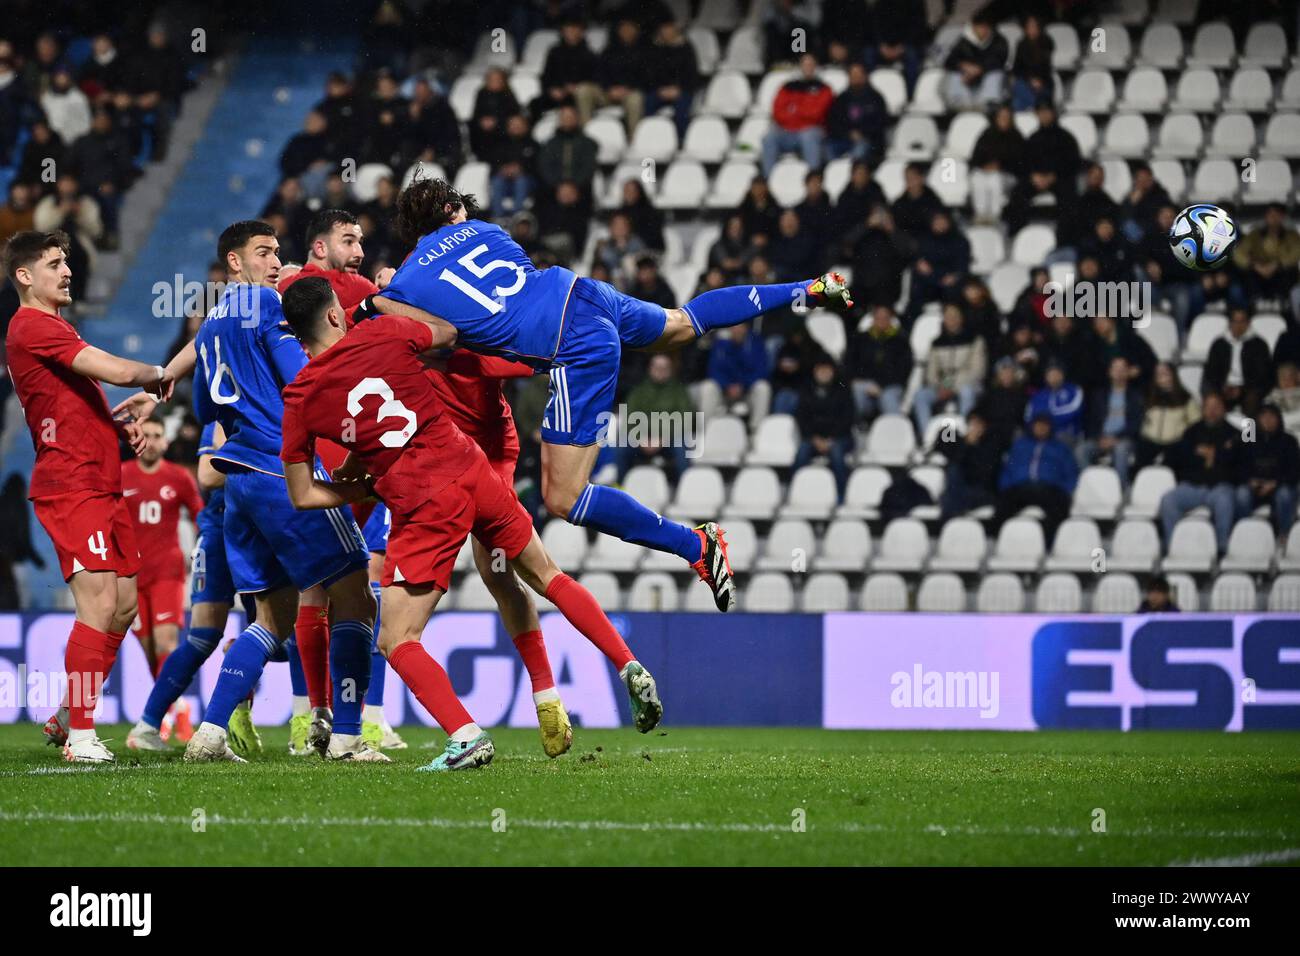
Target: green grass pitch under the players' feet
point(688, 797)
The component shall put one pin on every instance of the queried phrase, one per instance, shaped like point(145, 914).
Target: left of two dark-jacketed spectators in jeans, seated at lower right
point(1206, 464)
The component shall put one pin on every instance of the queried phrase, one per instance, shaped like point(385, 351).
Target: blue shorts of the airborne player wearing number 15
point(599, 323)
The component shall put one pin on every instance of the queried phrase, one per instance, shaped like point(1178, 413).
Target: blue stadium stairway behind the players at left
point(224, 170)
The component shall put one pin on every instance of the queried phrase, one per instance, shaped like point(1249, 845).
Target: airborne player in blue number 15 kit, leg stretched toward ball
point(479, 289)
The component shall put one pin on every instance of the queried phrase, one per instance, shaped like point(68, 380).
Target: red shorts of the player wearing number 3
point(424, 544)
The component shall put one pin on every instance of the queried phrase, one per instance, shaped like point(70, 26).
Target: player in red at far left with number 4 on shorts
point(77, 482)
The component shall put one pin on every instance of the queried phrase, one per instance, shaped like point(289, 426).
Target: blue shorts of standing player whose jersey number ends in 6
point(270, 544)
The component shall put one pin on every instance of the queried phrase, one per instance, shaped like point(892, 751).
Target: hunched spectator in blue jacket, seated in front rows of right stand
point(1041, 470)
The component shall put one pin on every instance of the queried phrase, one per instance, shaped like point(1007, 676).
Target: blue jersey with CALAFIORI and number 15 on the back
point(479, 279)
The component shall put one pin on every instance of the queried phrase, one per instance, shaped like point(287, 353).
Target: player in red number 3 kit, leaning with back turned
point(370, 392)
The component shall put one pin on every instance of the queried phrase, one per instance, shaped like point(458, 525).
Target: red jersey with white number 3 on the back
point(371, 395)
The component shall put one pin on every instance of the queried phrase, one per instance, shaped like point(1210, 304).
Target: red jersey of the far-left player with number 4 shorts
point(72, 427)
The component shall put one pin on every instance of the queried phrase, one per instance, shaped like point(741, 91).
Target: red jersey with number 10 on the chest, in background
point(154, 501)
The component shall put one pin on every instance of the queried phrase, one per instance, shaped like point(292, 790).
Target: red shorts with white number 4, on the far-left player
point(92, 531)
